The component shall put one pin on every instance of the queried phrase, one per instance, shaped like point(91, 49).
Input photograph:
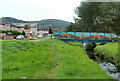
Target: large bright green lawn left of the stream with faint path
point(48, 59)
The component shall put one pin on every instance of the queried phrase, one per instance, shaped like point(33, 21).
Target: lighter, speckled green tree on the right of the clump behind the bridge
point(109, 18)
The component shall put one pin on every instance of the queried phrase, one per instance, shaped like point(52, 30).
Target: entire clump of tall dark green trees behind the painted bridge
point(98, 17)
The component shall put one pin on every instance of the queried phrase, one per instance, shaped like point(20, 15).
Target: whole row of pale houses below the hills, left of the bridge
point(32, 28)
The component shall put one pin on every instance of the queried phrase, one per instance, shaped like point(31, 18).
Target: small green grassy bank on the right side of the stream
point(109, 52)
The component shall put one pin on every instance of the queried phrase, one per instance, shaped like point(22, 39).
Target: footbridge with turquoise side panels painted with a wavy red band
point(90, 37)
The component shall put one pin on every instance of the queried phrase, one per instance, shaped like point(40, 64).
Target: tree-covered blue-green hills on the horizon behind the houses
point(55, 23)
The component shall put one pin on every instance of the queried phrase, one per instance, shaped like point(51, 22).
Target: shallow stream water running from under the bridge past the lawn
point(110, 68)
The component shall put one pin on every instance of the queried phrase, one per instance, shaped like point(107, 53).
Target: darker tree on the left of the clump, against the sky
point(87, 13)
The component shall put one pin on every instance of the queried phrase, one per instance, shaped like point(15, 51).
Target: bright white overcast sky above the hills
point(31, 10)
